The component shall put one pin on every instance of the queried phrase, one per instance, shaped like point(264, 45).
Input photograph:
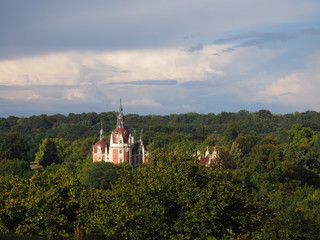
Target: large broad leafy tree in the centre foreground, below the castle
point(177, 199)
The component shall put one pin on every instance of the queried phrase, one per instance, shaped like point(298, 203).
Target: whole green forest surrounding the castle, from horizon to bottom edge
point(268, 186)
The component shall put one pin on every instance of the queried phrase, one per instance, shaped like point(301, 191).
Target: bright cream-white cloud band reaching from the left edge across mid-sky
point(144, 67)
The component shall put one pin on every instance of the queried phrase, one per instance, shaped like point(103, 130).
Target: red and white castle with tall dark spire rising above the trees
point(122, 146)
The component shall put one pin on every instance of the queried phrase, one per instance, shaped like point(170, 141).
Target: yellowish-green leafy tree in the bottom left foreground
point(53, 206)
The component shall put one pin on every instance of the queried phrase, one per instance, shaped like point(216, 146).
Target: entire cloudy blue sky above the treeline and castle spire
point(159, 57)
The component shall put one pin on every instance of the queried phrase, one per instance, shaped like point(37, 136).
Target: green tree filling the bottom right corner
point(294, 216)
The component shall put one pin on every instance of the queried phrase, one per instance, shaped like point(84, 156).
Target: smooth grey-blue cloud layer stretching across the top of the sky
point(130, 25)
